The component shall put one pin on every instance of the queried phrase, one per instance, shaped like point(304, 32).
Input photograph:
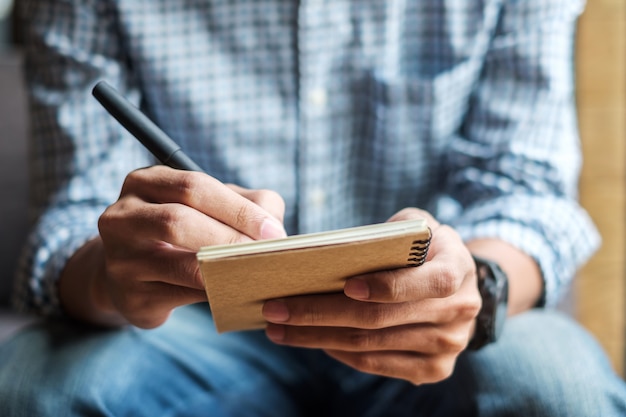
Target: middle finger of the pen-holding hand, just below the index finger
point(176, 224)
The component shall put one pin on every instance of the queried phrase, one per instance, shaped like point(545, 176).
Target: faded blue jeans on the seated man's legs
point(545, 365)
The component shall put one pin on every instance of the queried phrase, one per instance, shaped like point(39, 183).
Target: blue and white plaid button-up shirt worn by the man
point(351, 110)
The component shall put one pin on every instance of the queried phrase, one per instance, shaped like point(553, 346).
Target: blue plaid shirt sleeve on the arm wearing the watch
point(514, 167)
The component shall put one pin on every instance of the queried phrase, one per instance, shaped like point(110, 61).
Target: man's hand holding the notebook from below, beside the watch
point(409, 323)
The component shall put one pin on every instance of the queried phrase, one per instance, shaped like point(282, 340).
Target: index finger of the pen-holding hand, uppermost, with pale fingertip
point(160, 184)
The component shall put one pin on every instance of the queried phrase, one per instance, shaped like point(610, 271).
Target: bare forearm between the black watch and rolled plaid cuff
point(525, 279)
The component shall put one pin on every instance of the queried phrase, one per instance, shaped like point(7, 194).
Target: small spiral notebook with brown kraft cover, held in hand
point(239, 278)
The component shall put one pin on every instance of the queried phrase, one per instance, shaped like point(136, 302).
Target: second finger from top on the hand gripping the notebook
point(337, 310)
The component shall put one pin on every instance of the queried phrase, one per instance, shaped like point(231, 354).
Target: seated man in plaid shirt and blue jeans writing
point(307, 116)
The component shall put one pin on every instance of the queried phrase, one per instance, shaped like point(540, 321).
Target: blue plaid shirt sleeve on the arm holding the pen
point(79, 156)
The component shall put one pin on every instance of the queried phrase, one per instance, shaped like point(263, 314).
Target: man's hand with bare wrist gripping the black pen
point(146, 253)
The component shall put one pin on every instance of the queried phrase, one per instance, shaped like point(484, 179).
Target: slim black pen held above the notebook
point(141, 127)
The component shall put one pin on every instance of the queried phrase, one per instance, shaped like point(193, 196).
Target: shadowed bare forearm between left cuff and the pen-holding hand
point(82, 295)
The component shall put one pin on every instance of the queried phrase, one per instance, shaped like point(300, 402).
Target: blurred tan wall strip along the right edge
point(601, 71)
